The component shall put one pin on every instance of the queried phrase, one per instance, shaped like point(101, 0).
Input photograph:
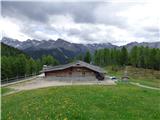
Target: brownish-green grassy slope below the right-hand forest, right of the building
point(140, 75)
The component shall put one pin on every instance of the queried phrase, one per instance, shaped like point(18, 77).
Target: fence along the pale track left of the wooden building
point(18, 78)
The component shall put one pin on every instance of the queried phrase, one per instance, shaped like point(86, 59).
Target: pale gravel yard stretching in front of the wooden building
point(40, 83)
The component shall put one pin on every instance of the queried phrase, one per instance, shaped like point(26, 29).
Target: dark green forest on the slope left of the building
point(15, 63)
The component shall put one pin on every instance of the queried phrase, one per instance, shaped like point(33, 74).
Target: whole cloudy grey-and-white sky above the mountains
point(115, 21)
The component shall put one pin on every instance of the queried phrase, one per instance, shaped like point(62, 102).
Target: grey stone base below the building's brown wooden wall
point(71, 79)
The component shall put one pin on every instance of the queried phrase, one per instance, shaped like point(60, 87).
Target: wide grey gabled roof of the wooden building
point(73, 64)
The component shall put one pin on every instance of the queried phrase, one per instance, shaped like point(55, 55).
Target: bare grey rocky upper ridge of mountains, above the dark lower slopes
point(61, 43)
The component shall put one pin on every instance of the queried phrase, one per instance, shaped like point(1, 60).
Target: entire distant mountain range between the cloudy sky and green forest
point(63, 50)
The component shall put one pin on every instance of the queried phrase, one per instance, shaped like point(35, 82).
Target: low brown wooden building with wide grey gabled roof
point(78, 69)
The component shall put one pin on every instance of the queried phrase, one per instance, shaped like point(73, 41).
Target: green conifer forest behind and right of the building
point(143, 57)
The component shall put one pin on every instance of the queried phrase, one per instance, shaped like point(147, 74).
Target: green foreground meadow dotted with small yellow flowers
point(120, 102)
